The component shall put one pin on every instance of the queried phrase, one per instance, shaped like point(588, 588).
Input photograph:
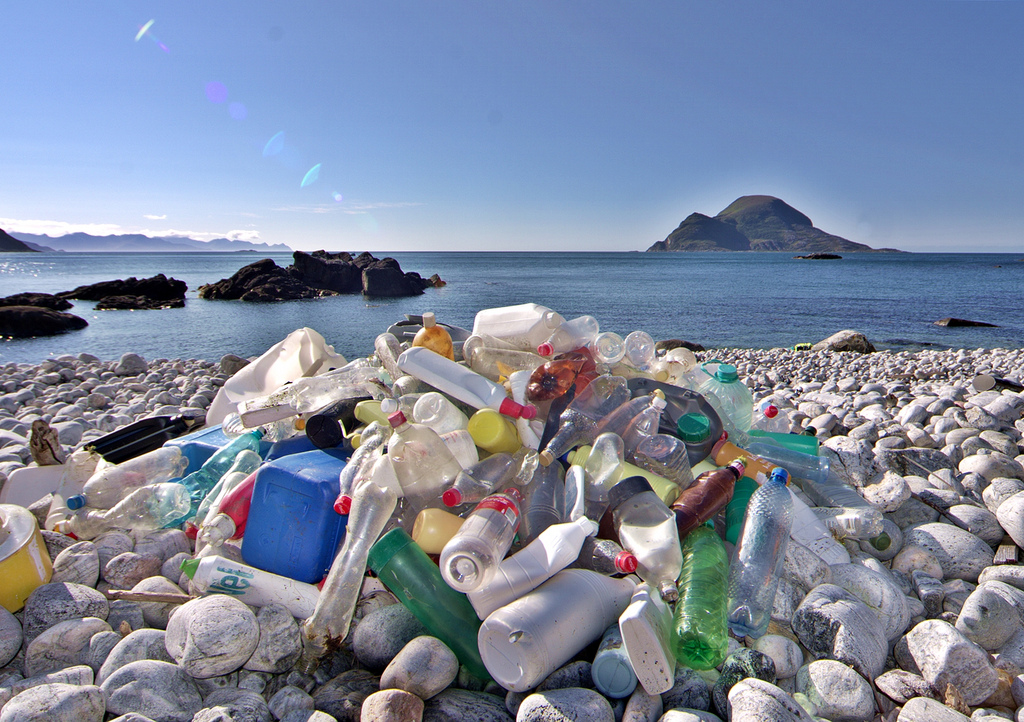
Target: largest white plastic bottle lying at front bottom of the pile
point(528, 640)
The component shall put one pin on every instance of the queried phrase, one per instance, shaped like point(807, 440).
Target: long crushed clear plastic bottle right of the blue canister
point(328, 627)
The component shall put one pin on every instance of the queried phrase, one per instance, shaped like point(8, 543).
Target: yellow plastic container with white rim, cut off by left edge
point(25, 564)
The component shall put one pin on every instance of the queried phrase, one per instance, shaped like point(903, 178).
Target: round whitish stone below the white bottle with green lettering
point(212, 636)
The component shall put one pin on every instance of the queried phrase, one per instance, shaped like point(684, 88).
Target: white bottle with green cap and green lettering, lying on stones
point(217, 575)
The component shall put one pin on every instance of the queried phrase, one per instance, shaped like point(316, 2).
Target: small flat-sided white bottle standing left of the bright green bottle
point(647, 630)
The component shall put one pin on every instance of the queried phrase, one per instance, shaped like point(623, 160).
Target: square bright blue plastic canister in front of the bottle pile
point(293, 530)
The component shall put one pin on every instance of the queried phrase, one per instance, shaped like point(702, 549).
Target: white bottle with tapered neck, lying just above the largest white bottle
point(556, 548)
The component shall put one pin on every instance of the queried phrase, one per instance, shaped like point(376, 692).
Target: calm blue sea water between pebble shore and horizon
point(753, 301)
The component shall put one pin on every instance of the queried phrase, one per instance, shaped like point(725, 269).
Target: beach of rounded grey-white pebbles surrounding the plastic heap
point(931, 629)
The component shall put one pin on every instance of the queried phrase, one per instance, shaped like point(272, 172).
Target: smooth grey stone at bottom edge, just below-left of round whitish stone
point(158, 690)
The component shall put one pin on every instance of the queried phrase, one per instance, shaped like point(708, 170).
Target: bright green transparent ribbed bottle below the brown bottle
point(700, 630)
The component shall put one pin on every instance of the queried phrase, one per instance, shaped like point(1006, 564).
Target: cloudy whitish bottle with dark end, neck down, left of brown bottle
point(648, 528)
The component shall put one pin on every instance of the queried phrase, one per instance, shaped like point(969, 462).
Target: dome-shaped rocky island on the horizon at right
point(757, 224)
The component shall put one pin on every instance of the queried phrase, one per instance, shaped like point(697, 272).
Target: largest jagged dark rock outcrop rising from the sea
point(317, 275)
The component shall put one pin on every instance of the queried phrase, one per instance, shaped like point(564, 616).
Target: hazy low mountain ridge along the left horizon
point(84, 243)
